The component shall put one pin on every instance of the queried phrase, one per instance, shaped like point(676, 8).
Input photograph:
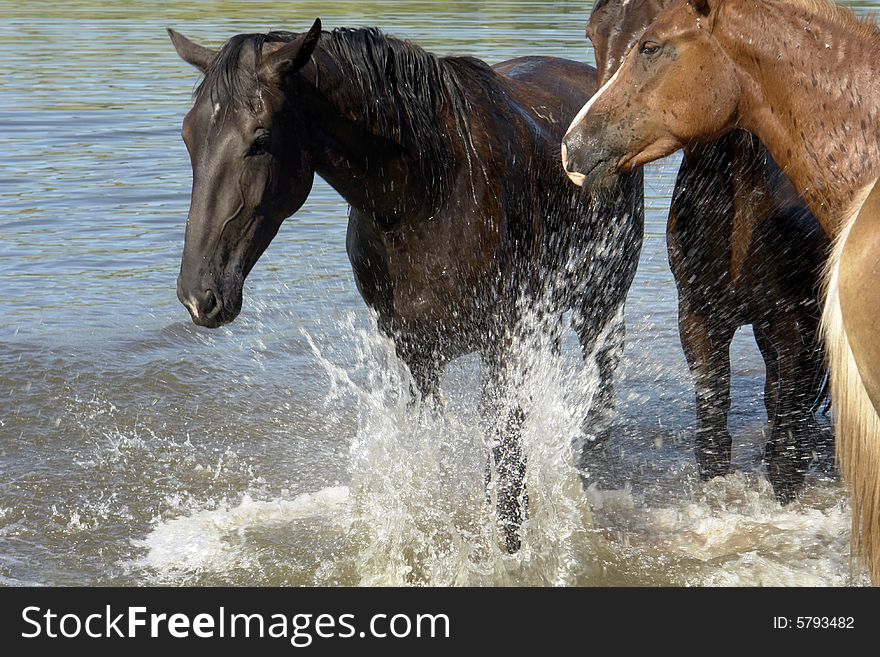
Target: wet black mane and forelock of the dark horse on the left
point(418, 90)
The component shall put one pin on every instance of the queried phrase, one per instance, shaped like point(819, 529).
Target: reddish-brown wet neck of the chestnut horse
point(811, 95)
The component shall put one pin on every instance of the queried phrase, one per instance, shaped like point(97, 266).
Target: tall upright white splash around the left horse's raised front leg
point(419, 503)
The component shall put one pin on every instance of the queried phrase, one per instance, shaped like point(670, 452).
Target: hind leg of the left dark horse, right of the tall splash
point(608, 355)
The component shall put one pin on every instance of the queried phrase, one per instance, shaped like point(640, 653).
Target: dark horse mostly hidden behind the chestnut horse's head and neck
point(744, 250)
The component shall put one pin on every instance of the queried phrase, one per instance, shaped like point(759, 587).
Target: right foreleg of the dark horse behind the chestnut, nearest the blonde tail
point(795, 434)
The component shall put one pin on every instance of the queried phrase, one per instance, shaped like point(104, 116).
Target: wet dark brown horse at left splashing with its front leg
point(461, 218)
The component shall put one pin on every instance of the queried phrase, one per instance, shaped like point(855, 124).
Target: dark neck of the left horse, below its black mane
point(374, 173)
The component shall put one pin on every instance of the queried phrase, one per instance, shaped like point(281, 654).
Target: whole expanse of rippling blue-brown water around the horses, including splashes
point(138, 448)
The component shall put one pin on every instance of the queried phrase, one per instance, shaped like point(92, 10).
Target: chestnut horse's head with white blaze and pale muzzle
point(676, 86)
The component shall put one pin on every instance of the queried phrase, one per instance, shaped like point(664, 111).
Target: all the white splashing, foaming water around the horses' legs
point(415, 509)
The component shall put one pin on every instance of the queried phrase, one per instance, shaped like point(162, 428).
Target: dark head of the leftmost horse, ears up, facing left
point(250, 161)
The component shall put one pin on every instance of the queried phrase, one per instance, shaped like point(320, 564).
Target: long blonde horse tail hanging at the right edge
point(857, 425)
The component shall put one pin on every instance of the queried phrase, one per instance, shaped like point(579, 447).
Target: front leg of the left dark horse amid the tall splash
point(505, 419)
